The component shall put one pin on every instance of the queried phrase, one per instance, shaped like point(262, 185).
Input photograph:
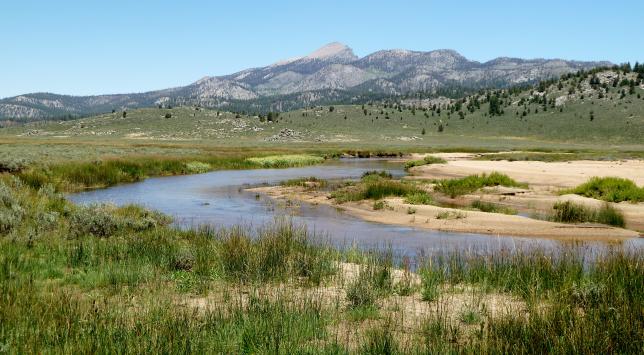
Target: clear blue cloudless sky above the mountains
point(98, 47)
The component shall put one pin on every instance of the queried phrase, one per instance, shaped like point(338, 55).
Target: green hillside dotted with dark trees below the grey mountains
point(581, 108)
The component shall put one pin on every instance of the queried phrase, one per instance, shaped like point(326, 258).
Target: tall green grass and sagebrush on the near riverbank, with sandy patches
point(118, 279)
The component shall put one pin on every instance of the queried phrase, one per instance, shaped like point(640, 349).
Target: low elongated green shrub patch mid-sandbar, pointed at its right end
point(469, 184)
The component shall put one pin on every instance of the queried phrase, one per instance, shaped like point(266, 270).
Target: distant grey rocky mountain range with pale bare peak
point(331, 74)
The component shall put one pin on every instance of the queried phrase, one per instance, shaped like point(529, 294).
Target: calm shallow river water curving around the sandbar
point(218, 199)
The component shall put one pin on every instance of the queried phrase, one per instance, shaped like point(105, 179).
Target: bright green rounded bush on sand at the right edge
point(611, 189)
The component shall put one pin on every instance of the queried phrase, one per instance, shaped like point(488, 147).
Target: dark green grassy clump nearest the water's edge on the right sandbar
point(570, 212)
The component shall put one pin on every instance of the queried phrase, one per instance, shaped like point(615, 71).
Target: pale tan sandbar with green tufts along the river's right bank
point(544, 178)
